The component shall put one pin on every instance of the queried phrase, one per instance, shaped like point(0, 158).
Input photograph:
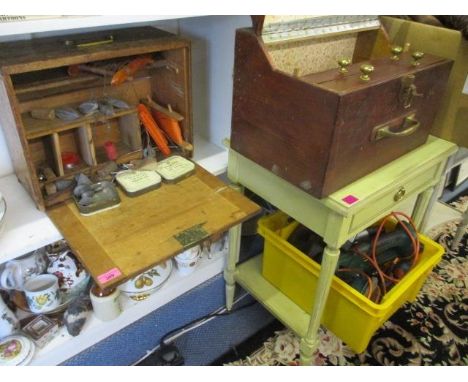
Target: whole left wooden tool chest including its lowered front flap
point(59, 73)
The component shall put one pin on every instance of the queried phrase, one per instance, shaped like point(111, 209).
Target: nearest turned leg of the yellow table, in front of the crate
point(310, 342)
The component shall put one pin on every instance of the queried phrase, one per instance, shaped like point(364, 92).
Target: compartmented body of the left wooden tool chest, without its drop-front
point(42, 76)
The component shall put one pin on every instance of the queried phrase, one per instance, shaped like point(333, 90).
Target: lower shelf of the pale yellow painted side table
point(249, 276)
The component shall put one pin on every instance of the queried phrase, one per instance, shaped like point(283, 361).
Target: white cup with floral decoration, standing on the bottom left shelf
point(42, 293)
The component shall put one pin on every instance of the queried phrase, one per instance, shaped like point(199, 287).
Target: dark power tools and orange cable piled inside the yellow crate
point(375, 260)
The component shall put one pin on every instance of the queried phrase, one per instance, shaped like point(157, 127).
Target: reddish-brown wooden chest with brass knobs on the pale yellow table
point(323, 101)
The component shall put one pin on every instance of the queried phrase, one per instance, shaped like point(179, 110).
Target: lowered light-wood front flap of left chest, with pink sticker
point(141, 231)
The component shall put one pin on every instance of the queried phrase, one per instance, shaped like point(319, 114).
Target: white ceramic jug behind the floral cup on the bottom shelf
point(16, 272)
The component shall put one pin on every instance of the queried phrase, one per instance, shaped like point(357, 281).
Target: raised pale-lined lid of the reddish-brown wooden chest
point(285, 28)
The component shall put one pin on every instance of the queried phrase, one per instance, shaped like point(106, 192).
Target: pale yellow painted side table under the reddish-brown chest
point(336, 218)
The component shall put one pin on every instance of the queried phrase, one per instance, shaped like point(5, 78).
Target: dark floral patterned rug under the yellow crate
point(432, 330)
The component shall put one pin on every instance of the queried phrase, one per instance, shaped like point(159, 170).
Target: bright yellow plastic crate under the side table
point(349, 314)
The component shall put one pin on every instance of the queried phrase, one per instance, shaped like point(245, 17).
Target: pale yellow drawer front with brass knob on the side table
point(410, 185)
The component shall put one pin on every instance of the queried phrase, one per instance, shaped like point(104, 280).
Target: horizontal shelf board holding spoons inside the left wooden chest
point(36, 128)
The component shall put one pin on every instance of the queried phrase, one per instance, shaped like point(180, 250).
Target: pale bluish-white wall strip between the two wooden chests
point(212, 69)
